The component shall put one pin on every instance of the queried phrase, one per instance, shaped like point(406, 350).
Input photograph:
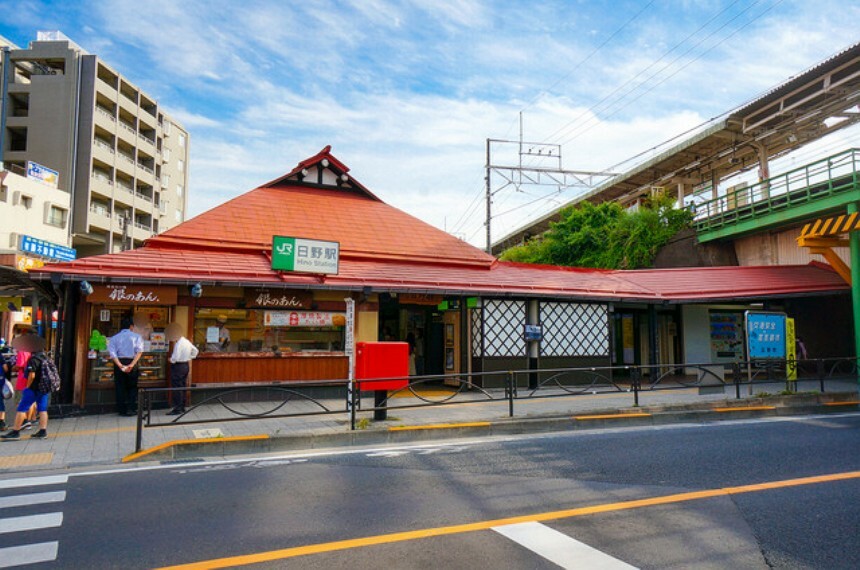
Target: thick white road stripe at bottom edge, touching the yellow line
point(559, 548)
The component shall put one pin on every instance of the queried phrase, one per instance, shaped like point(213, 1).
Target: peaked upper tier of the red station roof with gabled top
point(366, 227)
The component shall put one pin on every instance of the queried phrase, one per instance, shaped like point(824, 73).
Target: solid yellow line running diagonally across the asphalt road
point(293, 552)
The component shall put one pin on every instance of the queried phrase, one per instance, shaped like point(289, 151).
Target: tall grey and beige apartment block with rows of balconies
point(123, 160)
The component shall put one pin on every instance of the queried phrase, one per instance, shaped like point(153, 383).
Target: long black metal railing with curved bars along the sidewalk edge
point(240, 401)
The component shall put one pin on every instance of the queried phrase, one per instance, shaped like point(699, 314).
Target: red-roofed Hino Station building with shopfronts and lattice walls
point(465, 310)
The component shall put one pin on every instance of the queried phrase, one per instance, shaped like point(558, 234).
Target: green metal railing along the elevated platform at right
point(825, 185)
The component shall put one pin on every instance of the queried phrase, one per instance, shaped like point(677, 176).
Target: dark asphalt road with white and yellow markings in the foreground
point(457, 499)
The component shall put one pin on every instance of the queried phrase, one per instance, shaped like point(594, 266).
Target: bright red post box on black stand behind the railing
point(382, 360)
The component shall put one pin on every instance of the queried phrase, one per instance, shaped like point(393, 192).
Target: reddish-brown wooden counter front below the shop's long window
point(219, 367)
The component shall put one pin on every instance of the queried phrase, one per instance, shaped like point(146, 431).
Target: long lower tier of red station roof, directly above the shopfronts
point(686, 284)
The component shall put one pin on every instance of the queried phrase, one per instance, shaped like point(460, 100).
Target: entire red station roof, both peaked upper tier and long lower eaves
point(389, 250)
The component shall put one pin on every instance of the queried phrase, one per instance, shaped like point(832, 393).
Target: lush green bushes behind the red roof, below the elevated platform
point(605, 235)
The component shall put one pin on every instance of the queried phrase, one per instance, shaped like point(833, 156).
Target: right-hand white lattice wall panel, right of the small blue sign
point(572, 329)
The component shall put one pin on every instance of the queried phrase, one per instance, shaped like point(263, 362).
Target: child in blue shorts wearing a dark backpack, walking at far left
point(38, 386)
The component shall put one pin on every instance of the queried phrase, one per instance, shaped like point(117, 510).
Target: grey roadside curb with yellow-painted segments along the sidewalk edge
point(184, 450)
